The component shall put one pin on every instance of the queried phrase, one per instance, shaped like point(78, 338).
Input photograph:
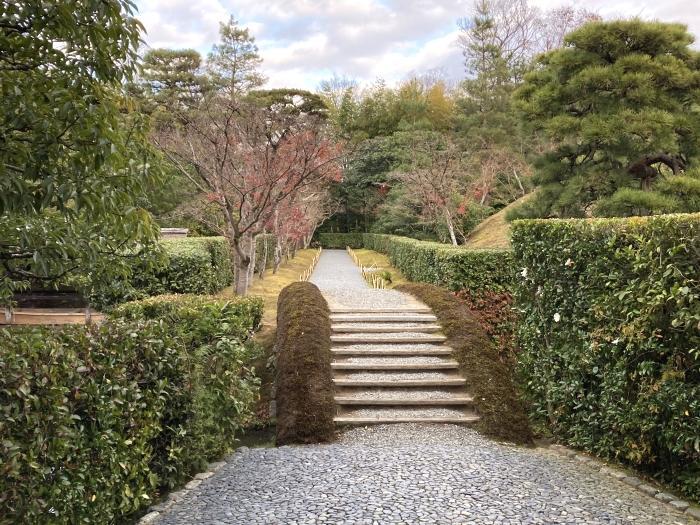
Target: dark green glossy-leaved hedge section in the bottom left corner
point(81, 408)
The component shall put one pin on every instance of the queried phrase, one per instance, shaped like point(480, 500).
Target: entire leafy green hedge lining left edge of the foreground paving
point(96, 421)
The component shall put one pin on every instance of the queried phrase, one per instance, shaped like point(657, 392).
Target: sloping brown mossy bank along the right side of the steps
point(503, 414)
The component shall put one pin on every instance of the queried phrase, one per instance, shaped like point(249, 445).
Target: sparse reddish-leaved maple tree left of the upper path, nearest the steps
point(257, 167)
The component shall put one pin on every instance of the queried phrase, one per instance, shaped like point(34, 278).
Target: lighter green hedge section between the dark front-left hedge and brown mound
point(219, 389)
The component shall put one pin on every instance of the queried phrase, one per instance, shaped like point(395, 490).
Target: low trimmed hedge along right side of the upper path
point(452, 267)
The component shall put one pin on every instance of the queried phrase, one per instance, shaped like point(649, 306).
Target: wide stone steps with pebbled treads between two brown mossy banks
point(392, 366)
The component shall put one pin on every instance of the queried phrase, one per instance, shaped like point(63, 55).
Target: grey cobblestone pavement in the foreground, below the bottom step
point(441, 474)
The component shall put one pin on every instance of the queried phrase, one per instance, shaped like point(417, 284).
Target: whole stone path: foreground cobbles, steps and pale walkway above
point(407, 472)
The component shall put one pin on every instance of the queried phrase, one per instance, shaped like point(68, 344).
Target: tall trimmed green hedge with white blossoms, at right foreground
point(610, 337)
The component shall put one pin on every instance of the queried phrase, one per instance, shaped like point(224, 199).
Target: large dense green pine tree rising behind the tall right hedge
point(620, 103)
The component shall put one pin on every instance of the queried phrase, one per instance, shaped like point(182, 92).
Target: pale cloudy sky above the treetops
point(305, 41)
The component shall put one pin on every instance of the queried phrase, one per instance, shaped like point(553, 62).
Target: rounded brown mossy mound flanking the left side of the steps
point(305, 405)
